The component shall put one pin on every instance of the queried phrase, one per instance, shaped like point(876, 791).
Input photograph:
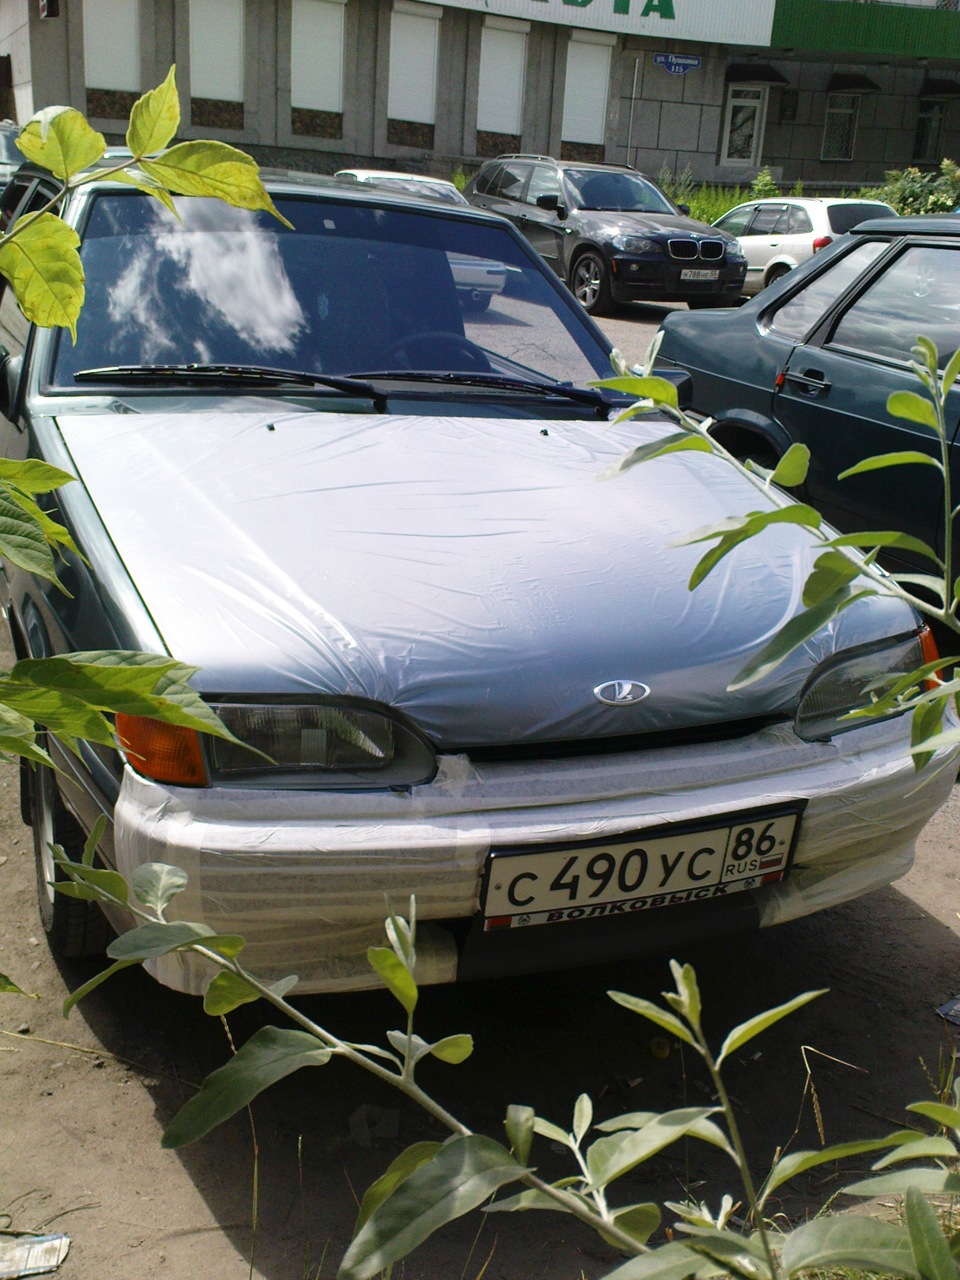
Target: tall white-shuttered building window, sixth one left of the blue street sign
point(112, 57)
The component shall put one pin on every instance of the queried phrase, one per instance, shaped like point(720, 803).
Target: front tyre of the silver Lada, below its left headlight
point(74, 927)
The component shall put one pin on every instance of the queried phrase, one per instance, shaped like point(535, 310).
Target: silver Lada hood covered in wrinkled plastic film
point(477, 574)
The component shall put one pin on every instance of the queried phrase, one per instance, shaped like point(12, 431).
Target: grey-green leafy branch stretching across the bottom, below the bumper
point(433, 1183)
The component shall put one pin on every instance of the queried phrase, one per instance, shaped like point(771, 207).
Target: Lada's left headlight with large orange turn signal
point(341, 746)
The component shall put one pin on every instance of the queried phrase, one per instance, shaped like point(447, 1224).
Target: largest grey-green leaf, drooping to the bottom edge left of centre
point(456, 1181)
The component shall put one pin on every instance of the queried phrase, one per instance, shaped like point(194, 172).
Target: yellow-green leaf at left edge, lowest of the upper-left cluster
point(45, 272)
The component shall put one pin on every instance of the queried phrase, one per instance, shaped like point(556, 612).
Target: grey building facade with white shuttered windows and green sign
point(830, 93)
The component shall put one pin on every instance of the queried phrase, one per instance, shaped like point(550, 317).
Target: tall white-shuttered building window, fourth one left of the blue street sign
point(317, 68)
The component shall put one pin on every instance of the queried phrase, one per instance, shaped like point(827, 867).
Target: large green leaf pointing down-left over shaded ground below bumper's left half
point(269, 1055)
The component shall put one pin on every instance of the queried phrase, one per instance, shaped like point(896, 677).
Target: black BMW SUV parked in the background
point(611, 234)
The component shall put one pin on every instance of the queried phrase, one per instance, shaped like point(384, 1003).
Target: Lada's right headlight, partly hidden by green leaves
point(848, 683)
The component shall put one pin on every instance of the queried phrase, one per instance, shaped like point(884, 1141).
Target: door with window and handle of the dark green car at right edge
point(835, 390)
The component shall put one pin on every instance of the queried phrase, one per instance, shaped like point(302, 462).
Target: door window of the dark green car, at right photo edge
point(917, 295)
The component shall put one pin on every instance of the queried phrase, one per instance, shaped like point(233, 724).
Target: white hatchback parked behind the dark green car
point(780, 232)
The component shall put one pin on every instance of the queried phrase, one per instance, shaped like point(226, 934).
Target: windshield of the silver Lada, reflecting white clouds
point(351, 290)
